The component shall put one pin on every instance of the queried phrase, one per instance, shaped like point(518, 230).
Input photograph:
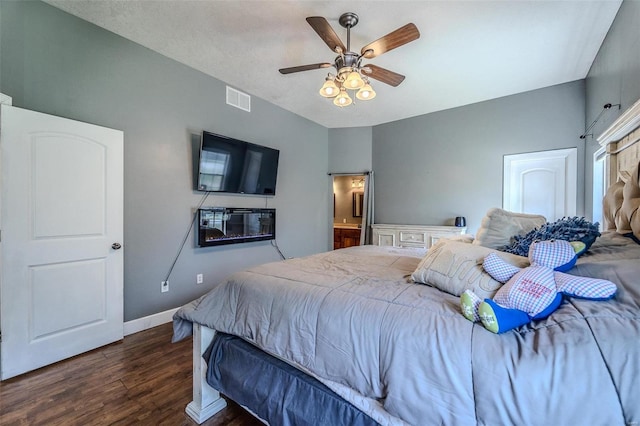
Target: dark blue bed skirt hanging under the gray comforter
point(274, 390)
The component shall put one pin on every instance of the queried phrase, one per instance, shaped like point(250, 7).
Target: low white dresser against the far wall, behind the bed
point(412, 235)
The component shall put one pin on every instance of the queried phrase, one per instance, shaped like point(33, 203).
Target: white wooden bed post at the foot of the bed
point(206, 400)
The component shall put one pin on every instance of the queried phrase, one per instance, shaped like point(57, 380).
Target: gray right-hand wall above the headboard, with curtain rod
point(614, 78)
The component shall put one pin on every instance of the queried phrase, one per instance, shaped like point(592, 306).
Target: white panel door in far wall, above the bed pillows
point(542, 183)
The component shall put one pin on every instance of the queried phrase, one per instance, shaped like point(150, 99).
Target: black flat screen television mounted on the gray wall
point(231, 165)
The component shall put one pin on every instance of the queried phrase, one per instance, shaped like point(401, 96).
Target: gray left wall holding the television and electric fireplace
point(55, 63)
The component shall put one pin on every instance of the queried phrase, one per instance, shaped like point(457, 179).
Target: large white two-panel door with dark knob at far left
point(61, 209)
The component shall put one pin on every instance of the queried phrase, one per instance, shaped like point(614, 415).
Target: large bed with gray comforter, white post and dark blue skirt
point(355, 326)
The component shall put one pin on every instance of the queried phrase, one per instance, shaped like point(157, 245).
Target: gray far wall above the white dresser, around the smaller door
point(434, 167)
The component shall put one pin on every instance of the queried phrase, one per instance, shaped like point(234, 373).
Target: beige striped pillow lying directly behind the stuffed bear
point(455, 266)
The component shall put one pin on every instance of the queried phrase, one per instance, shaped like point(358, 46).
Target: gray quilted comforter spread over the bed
point(403, 352)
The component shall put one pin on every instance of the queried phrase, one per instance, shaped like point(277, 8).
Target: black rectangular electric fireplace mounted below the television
point(227, 225)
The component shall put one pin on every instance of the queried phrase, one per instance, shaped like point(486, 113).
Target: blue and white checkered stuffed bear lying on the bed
point(534, 292)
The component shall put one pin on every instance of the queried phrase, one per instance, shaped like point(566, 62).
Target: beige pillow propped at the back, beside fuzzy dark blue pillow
point(499, 226)
